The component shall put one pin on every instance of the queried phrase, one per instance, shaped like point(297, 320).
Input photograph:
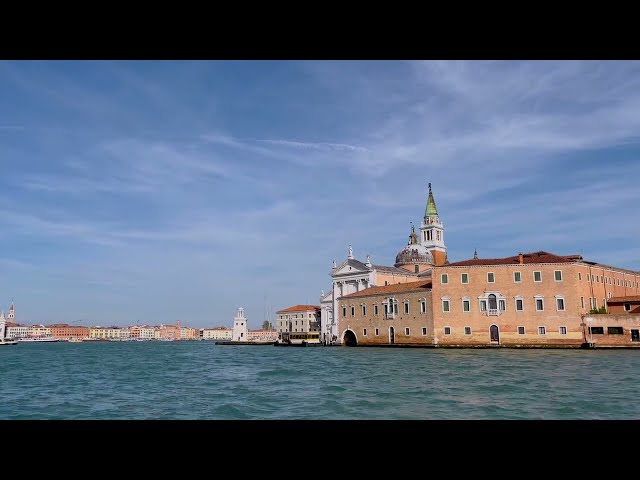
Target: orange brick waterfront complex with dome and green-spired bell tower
point(529, 299)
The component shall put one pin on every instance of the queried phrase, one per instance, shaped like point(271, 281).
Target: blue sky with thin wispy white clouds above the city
point(158, 191)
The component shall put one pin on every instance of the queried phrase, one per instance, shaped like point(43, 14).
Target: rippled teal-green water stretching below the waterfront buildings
point(186, 380)
